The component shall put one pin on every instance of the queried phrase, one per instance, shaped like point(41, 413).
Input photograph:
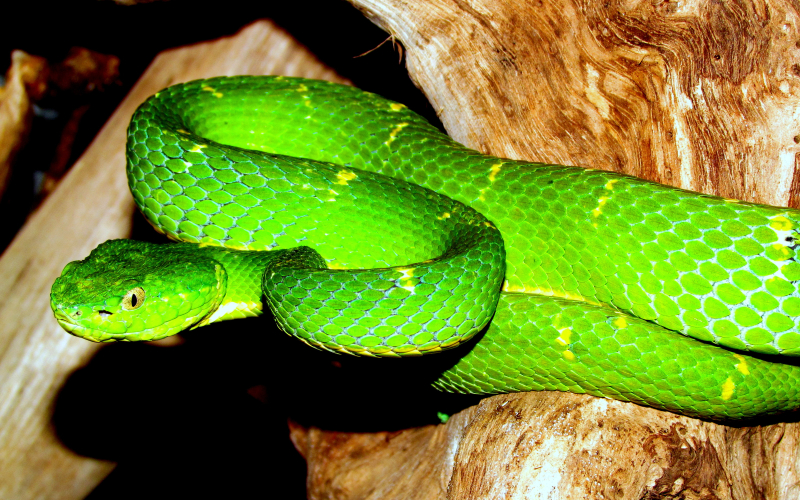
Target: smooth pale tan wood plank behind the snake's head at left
point(90, 206)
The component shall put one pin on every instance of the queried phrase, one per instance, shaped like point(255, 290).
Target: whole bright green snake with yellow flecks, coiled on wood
point(368, 231)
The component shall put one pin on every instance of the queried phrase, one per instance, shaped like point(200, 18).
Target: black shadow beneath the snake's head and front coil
point(208, 416)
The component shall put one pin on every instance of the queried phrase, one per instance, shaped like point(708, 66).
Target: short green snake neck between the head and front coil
point(243, 295)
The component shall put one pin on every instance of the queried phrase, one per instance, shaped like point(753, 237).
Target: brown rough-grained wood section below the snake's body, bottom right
point(556, 446)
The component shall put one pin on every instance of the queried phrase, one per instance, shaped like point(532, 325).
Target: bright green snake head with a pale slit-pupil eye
point(131, 290)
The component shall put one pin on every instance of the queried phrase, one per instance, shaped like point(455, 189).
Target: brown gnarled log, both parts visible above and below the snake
point(698, 94)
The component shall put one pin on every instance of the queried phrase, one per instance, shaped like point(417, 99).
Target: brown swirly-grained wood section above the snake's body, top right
point(699, 94)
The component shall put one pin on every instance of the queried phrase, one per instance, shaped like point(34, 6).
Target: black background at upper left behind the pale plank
point(333, 30)
